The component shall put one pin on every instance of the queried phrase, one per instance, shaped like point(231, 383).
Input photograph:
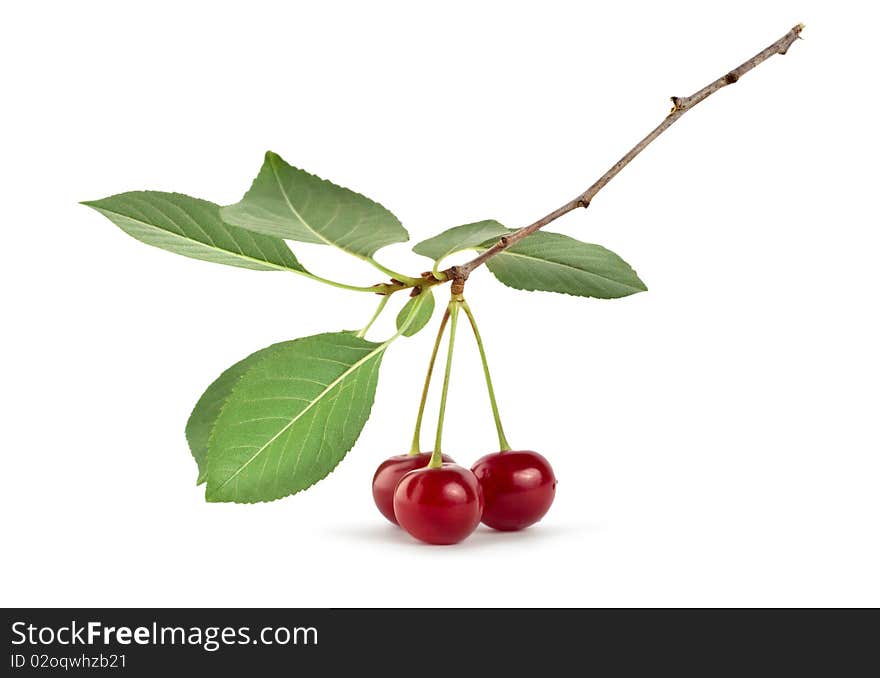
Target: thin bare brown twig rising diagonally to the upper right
point(680, 106)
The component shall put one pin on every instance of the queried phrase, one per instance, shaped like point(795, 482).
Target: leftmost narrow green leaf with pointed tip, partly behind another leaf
point(193, 228)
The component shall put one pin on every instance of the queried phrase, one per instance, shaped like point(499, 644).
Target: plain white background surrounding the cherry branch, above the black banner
point(715, 439)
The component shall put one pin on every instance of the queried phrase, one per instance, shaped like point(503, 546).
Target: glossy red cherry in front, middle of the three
point(439, 505)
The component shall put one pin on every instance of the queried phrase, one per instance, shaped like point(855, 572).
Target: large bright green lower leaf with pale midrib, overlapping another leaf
point(292, 416)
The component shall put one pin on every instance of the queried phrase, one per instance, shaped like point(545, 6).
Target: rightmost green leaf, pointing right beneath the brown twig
point(556, 263)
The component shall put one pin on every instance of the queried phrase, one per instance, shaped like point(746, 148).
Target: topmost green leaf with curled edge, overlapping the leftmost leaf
point(290, 203)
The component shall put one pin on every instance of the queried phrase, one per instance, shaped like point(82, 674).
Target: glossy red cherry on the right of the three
point(518, 488)
